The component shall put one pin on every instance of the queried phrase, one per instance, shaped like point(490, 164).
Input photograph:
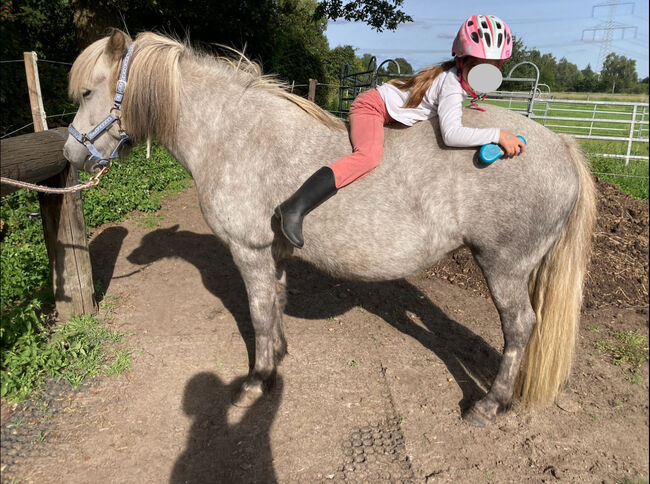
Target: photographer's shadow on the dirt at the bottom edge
point(217, 451)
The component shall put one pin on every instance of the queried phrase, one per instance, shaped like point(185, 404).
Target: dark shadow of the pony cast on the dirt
point(312, 294)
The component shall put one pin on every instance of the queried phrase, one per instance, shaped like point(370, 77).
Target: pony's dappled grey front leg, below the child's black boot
point(258, 270)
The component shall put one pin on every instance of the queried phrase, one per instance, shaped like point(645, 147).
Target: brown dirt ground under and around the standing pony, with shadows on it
point(372, 389)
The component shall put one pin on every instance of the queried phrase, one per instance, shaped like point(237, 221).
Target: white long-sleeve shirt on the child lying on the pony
point(444, 98)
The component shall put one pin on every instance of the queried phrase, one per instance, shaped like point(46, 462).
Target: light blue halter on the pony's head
point(88, 139)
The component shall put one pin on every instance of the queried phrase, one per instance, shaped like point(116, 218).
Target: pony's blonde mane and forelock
point(152, 97)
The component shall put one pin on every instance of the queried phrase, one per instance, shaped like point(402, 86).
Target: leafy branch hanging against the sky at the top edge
point(379, 14)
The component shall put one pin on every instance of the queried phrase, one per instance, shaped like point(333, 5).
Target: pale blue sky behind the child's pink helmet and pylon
point(554, 26)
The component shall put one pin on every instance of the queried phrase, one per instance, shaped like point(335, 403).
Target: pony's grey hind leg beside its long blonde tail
point(510, 295)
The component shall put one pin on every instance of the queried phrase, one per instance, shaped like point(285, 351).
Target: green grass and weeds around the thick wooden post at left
point(31, 347)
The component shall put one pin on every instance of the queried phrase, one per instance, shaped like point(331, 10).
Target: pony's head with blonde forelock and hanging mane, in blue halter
point(150, 101)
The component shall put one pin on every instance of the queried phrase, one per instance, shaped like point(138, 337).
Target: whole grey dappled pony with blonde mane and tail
point(249, 145)
